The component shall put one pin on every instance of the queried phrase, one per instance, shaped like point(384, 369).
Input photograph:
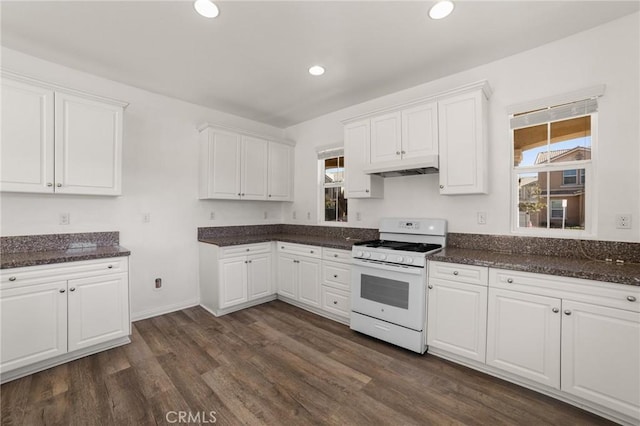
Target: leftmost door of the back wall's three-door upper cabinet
point(220, 173)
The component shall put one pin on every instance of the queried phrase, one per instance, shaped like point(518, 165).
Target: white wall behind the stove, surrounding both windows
point(607, 54)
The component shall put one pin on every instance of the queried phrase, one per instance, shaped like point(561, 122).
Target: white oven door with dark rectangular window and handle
point(392, 293)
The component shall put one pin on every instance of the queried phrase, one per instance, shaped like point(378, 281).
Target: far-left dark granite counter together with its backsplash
point(34, 250)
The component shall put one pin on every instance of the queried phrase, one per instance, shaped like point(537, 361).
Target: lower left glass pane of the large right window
point(532, 200)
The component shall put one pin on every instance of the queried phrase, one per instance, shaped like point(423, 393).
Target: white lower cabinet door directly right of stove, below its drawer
point(457, 318)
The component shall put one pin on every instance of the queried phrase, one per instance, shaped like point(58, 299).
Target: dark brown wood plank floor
point(272, 364)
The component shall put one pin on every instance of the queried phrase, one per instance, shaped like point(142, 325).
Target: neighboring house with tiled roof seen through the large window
point(556, 197)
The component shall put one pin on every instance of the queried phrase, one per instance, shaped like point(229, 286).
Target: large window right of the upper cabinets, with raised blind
point(552, 149)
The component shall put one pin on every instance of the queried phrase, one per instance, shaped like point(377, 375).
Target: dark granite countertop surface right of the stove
point(552, 265)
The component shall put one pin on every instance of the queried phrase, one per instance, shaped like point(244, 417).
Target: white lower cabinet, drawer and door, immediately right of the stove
point(457, 310)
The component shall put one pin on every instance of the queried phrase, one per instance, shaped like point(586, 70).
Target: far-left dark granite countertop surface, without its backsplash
point(34, 258)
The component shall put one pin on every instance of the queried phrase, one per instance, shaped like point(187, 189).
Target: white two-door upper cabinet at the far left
point(55, 140)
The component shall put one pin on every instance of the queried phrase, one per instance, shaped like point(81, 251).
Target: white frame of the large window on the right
point(588, 166)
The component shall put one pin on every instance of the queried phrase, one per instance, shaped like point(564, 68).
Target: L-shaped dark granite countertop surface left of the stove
point(314, 240)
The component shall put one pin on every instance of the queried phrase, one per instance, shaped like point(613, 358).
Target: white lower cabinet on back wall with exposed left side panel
point(235, 277)
